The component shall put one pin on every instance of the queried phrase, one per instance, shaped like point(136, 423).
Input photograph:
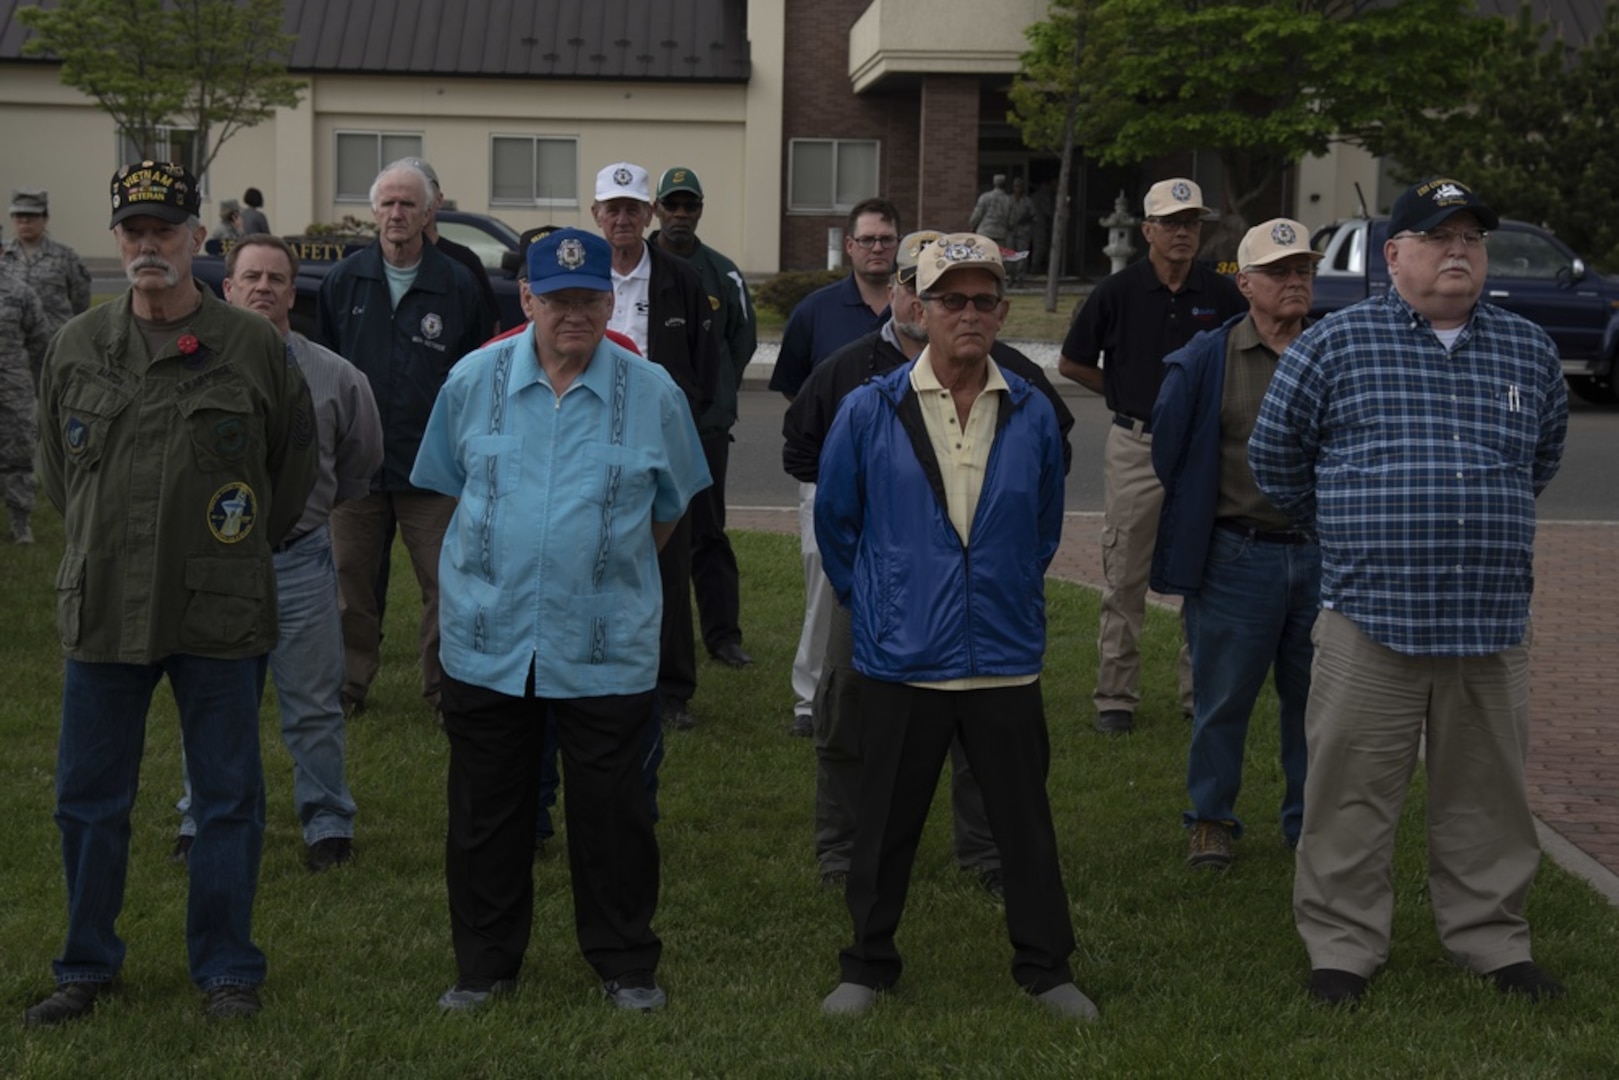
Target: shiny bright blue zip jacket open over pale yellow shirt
point(925, 606)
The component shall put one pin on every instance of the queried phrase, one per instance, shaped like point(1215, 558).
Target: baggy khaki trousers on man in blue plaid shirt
point(1369, 713)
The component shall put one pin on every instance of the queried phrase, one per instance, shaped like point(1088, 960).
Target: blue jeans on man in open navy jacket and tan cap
point(1256, 608)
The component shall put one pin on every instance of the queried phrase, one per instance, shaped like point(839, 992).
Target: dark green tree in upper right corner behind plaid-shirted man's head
point(1534, 130)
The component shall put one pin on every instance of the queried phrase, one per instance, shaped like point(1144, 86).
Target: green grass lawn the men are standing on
point(1197, 974)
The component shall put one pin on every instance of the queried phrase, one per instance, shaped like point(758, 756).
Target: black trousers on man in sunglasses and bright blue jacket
point(907, 734)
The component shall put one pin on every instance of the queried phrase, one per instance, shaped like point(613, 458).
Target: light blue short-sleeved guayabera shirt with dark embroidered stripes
point(550, 558)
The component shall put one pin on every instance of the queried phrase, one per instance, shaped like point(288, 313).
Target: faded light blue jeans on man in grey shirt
point(308, 673)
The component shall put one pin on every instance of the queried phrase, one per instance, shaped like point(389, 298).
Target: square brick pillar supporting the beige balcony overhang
point(948, 155)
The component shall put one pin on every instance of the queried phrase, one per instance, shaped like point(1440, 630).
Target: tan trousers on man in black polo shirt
point(1132, 500)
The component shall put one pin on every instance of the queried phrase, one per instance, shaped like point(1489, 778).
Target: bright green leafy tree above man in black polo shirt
point(1257, 82)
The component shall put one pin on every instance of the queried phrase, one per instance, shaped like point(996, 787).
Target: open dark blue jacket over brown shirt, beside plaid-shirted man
point(1186, 457)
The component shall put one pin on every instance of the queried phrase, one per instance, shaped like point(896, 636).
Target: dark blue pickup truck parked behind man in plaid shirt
point(1531, 273)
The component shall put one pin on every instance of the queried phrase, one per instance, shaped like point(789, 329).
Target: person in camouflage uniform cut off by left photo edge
point(25, 333)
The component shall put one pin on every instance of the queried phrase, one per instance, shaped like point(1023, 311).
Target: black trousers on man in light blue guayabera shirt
point(496, 746)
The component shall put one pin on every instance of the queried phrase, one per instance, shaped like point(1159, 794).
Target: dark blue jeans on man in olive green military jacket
point(98, 772)
